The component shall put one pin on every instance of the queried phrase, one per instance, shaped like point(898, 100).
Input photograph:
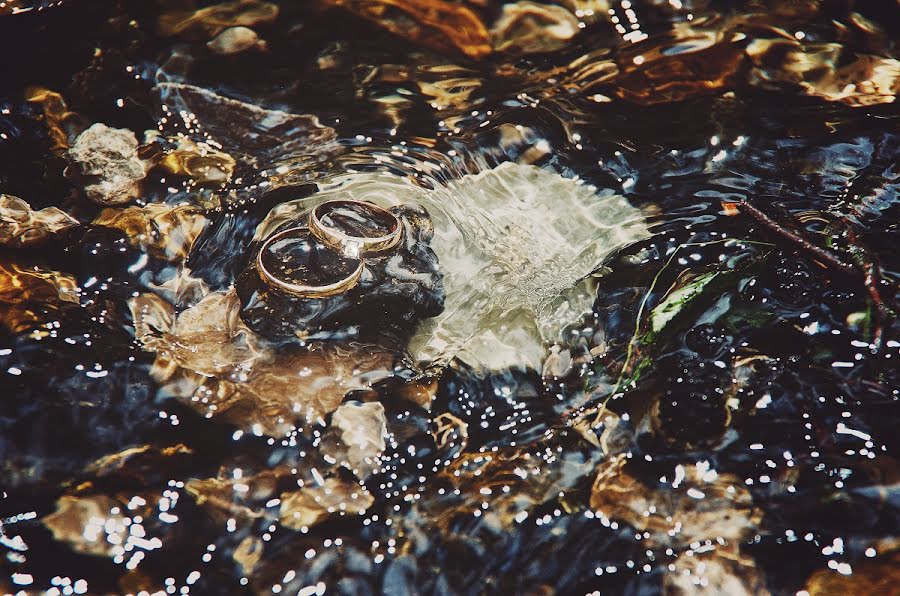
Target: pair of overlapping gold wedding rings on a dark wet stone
point(326, 256)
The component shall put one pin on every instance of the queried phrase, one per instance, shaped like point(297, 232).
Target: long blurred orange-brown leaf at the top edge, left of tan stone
point(439, 24)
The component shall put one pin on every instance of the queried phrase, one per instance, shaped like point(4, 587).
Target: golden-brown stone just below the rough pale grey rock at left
point(166, 232)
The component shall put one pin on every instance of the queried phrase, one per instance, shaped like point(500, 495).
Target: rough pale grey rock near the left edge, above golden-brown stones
point(107, 160)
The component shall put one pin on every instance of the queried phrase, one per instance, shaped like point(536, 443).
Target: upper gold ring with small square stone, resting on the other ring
point(344, 223)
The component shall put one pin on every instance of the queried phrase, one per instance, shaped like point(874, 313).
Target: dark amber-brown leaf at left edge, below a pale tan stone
point(32, 296)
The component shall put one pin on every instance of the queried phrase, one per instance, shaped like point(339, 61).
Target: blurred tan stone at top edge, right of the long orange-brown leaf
point(531, 28)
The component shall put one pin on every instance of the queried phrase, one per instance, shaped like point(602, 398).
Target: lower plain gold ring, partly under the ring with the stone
point(295, 262)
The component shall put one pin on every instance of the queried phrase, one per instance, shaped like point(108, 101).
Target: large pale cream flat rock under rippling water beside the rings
point(516, 246)
